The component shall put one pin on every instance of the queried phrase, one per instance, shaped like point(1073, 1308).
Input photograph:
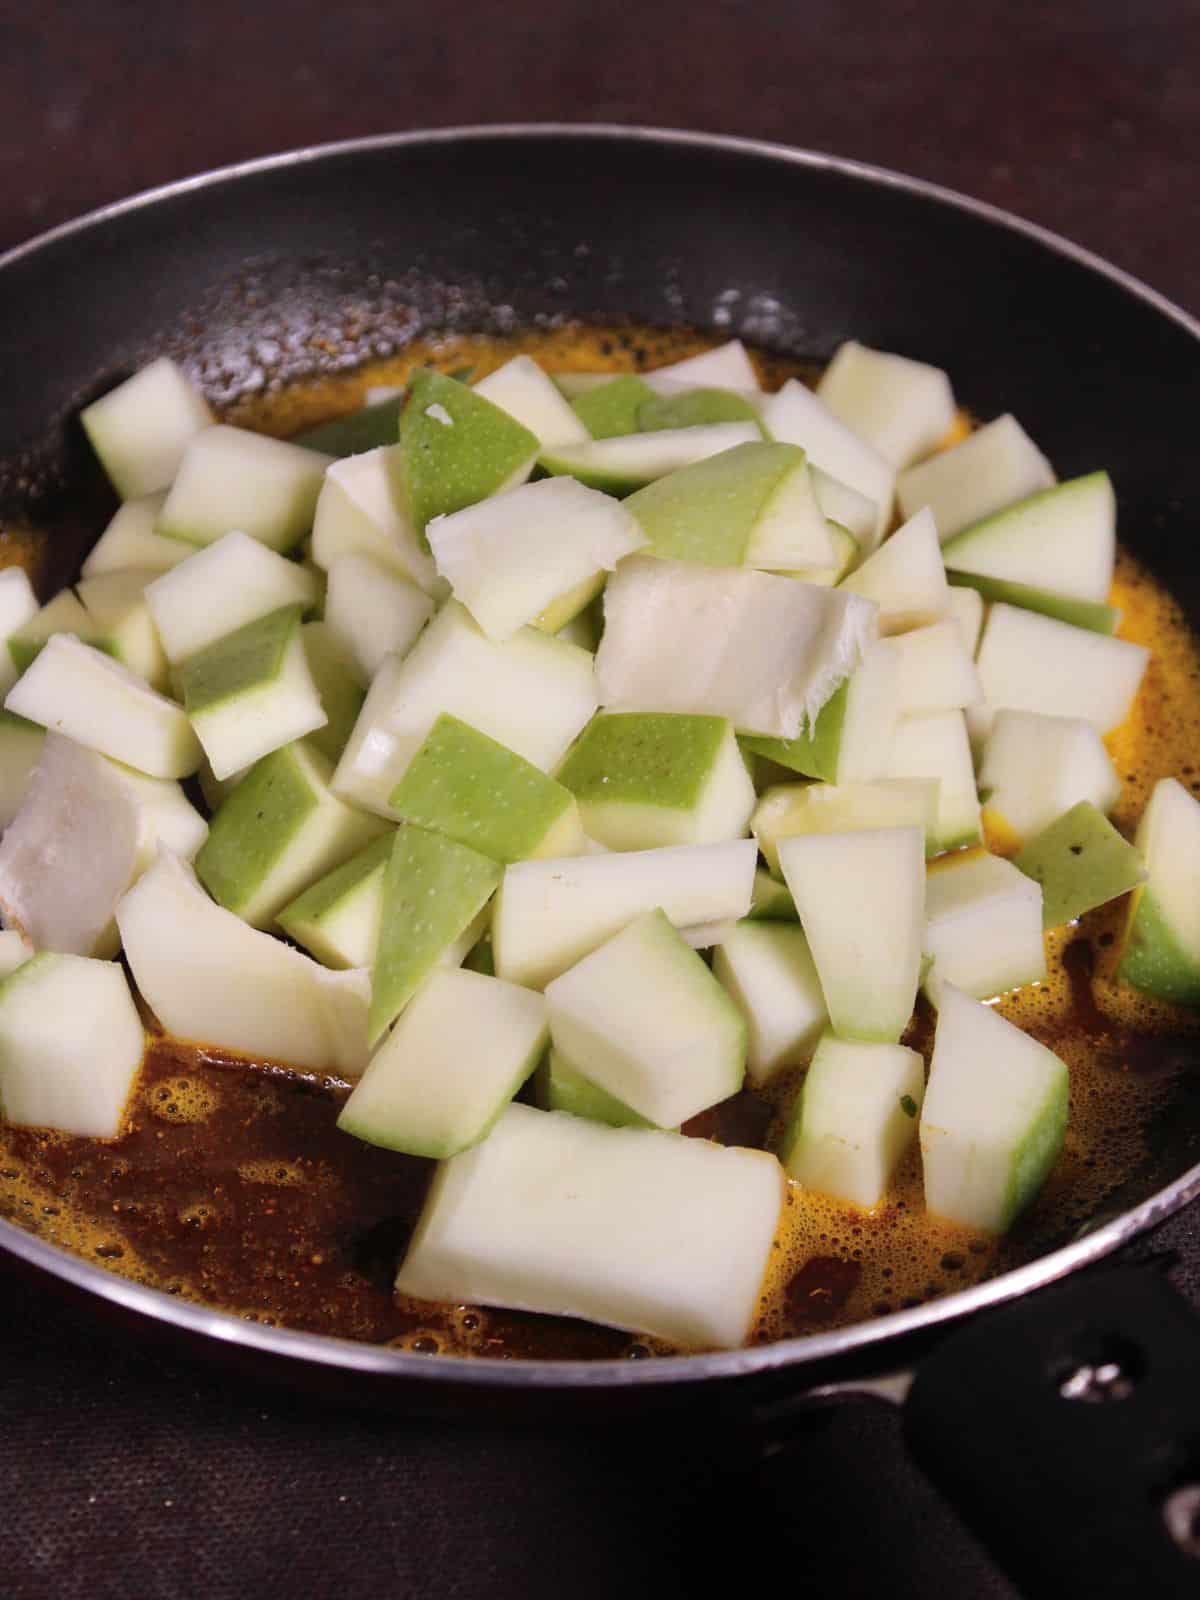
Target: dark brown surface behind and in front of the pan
point(134, 1471)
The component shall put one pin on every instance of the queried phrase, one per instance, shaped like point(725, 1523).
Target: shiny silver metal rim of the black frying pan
point(490, 1374)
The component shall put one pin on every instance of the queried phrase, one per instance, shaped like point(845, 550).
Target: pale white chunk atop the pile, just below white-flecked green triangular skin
point(510, 558)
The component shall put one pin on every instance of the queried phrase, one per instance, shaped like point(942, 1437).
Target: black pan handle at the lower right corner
point(1066, 1431)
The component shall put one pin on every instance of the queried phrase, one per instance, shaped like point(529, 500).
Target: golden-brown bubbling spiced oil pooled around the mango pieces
point(233, 1185)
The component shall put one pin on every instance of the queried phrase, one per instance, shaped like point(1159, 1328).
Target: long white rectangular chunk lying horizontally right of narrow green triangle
point(550, 914)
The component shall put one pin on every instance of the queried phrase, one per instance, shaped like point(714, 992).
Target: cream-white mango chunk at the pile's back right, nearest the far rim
point(905, 409)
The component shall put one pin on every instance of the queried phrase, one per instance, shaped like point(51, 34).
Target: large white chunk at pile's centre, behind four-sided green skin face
point(534, 695)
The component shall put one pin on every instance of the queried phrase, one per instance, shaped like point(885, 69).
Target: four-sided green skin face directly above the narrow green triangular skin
point(479, 793)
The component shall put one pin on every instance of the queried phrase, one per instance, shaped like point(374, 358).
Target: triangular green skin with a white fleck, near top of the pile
point(446, 468)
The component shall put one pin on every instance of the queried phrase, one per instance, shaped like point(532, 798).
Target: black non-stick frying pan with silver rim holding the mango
point(1068, 1425)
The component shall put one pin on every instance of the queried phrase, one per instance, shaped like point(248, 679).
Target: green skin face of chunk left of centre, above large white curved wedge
point(254, 828)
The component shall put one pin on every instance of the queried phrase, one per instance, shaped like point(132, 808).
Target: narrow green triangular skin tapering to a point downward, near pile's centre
point(433, 890)
